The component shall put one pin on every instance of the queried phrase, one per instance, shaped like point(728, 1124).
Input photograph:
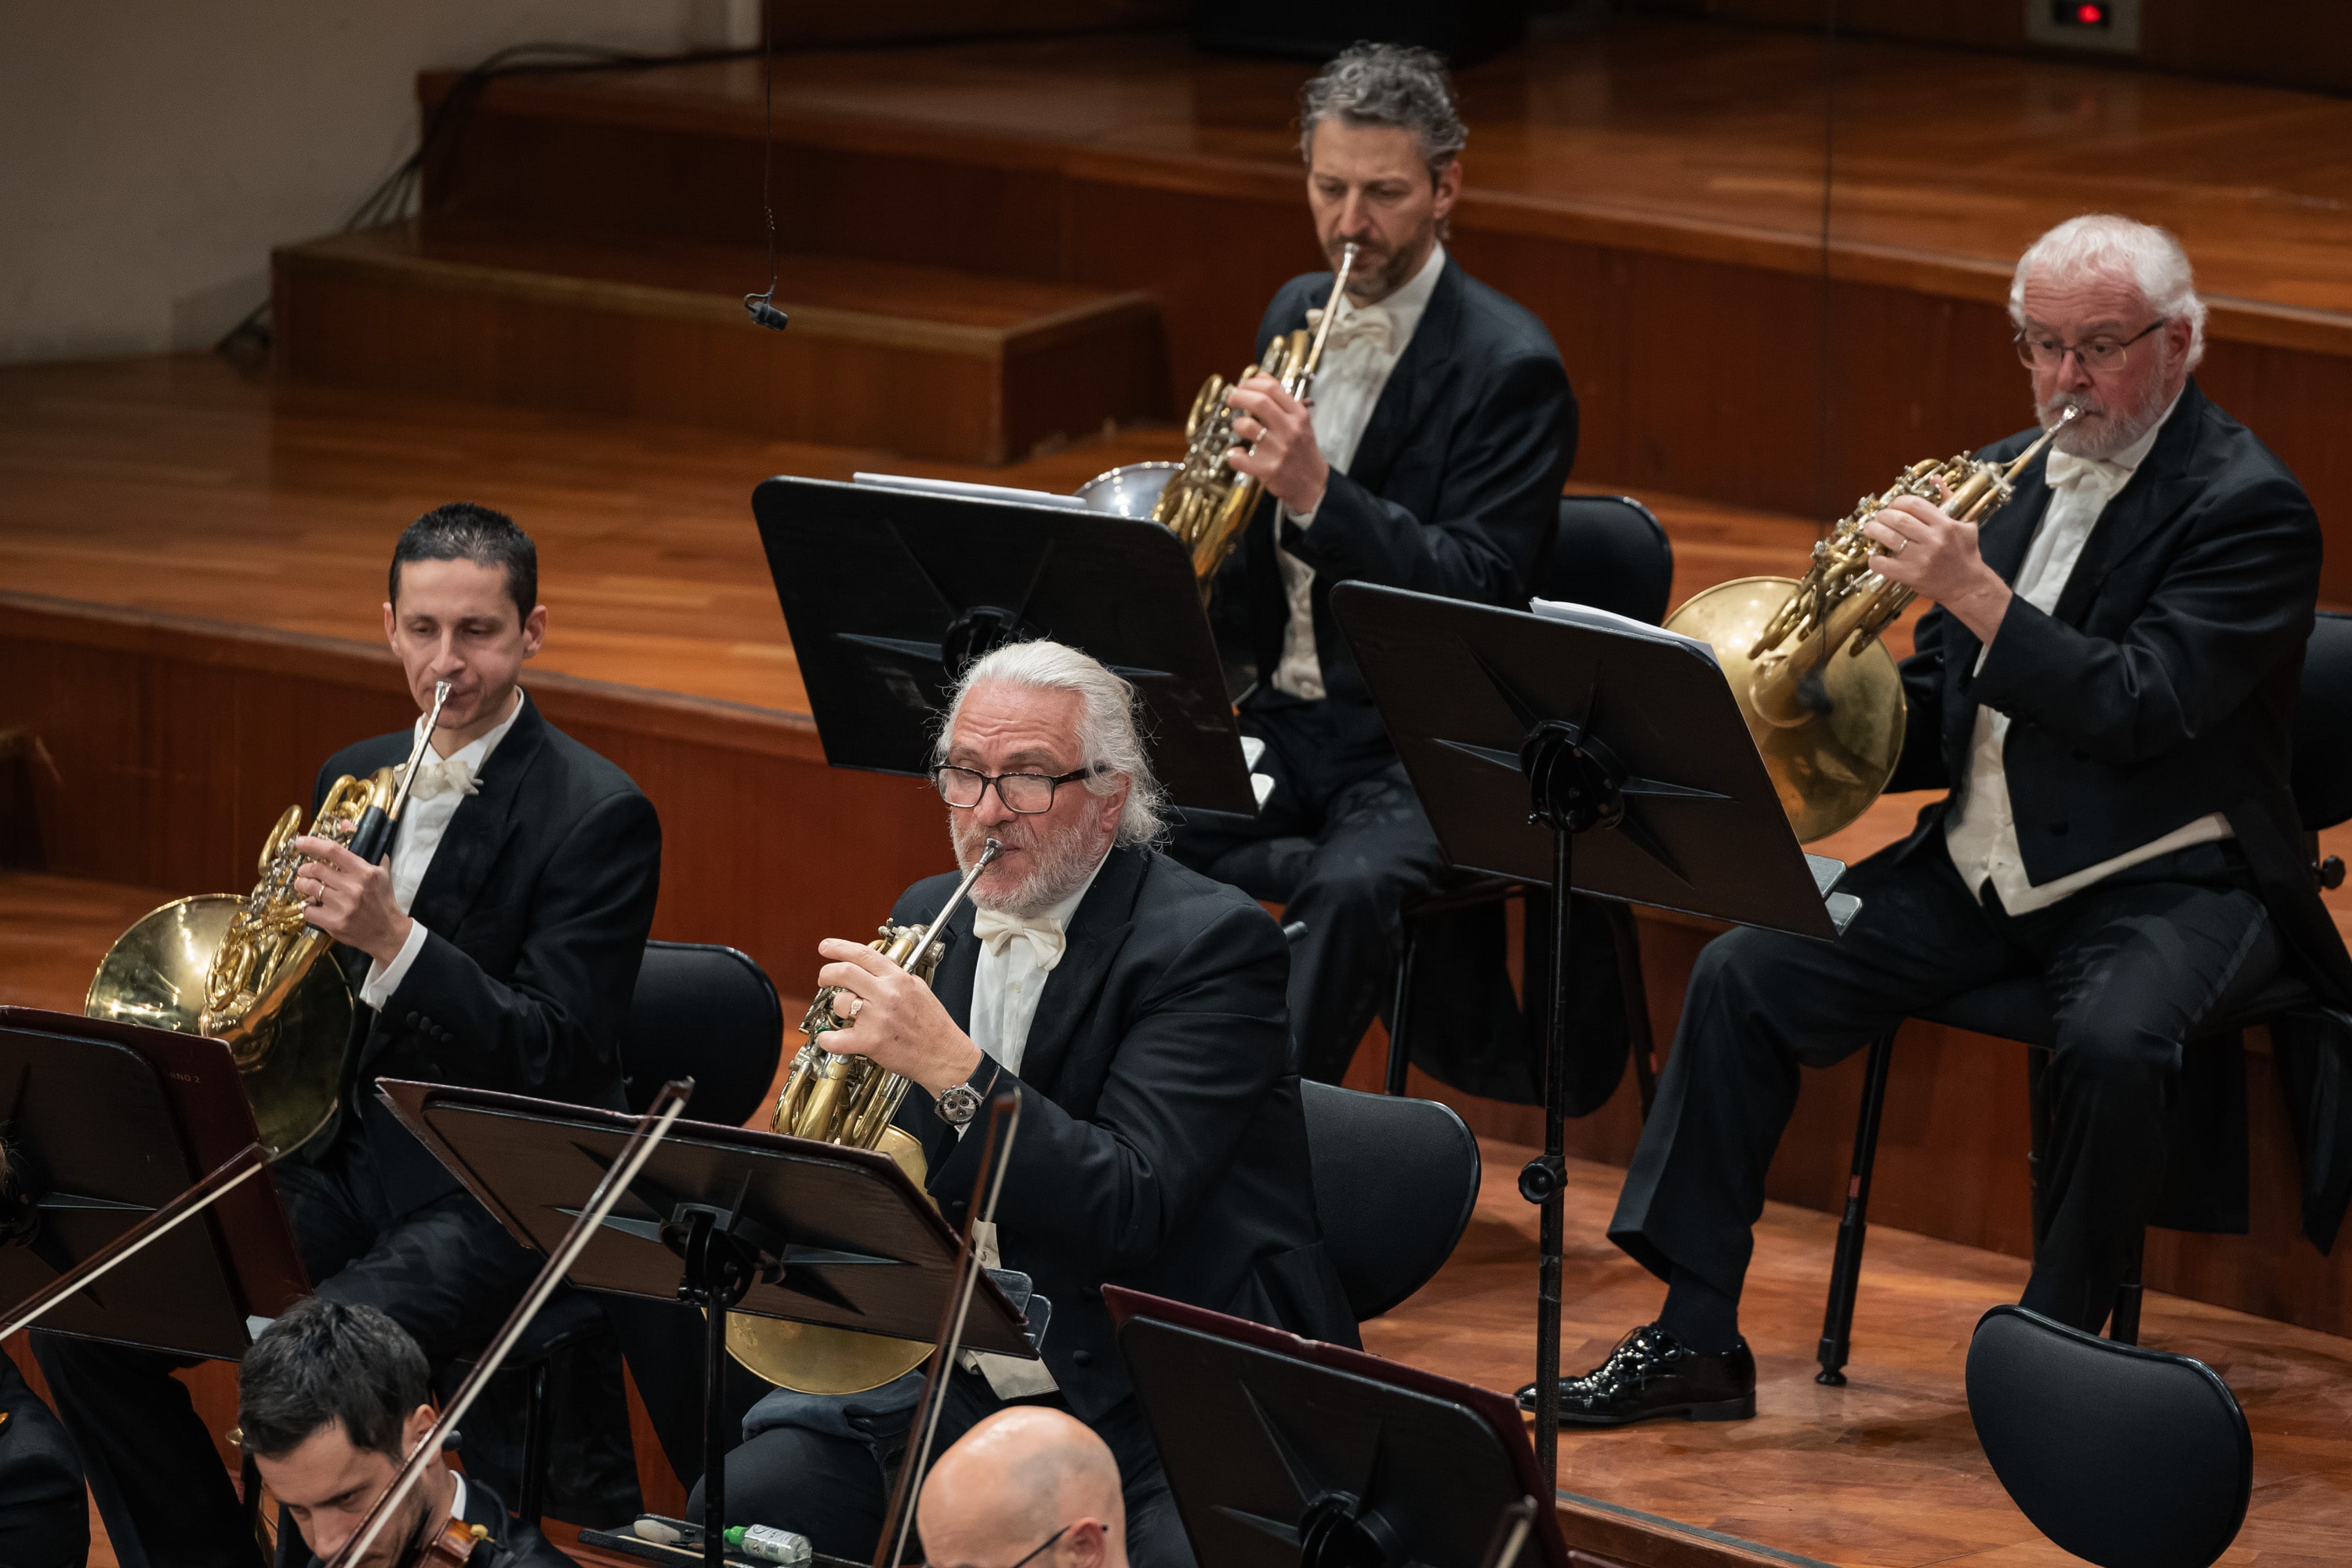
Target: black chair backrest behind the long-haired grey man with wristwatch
point(1396, 1184)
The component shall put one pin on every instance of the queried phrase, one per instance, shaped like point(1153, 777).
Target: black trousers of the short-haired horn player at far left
point(446, 1273)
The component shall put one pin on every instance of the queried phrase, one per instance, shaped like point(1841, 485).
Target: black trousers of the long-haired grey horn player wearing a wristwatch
point(836, 1489)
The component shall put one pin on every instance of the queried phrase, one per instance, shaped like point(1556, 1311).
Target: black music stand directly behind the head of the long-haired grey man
point(893, 594)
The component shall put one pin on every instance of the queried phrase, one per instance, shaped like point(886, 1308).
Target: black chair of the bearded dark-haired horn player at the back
point(1610, 554)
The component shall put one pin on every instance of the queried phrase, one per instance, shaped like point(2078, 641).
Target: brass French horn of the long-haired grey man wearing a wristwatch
point(848, 1101)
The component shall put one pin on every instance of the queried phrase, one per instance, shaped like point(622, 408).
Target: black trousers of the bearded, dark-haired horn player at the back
point(1342, 845)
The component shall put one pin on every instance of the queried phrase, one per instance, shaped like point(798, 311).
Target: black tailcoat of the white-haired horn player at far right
point(2160, 690)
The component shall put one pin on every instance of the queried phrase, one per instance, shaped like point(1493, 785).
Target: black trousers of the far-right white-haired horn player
point(2132, 965)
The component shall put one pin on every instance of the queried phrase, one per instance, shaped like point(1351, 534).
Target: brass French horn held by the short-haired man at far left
point(248, 970)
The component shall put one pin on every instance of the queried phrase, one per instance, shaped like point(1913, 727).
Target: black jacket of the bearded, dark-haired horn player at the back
point(1455, 488)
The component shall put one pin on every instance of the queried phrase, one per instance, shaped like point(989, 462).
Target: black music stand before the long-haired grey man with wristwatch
point(721, 1217)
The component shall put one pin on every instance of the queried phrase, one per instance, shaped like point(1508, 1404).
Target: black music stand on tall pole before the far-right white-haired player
point(1593, 756)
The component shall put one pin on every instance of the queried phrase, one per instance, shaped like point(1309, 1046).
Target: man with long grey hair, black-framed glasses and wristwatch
point(1137, 1012)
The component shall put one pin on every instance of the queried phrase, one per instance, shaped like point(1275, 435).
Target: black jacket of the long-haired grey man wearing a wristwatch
point(1161, 1132)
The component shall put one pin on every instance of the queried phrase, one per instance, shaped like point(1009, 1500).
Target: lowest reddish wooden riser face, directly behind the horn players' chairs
point(180, 742)
